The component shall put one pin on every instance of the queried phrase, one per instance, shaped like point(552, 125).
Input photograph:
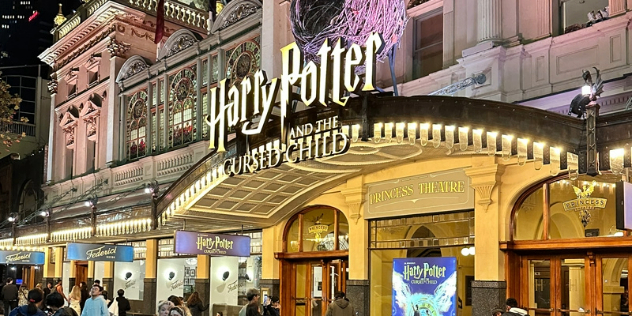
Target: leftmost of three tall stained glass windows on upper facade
point(136, 125)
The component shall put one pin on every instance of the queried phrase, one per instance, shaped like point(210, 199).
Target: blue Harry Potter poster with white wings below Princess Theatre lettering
point(424, 286)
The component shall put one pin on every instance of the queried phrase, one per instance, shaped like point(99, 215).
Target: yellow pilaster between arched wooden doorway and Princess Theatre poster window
point(358, 289)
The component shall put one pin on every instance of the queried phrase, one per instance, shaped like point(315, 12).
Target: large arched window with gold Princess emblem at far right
point(554, 209)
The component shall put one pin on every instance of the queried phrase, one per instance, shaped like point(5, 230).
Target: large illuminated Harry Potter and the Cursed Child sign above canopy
point(249, 103)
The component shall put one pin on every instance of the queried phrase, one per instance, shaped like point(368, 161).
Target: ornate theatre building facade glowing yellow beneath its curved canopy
point(482, 171)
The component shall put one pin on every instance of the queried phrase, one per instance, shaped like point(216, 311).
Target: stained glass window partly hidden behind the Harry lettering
point(243, 60)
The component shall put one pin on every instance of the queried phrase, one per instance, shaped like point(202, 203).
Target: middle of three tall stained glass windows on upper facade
point(182, 108)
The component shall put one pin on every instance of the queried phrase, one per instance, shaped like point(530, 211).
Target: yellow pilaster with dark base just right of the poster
point(489, 287)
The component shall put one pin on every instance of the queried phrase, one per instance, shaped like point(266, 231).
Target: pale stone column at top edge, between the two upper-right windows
point(489, 21)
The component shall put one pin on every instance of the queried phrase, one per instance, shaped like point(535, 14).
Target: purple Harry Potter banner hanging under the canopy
point(193, 243)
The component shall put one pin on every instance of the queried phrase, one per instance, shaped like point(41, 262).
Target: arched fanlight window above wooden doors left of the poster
point(316, 229)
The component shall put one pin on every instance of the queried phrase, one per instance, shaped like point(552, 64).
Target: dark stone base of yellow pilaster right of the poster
point(488, 295)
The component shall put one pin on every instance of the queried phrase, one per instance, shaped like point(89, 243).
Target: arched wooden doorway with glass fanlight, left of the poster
point(314, 260)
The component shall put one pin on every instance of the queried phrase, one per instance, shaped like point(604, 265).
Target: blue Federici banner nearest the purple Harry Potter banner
point(100, 252)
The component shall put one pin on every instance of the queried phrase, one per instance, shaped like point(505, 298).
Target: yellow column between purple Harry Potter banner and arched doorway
point(270, 265)
